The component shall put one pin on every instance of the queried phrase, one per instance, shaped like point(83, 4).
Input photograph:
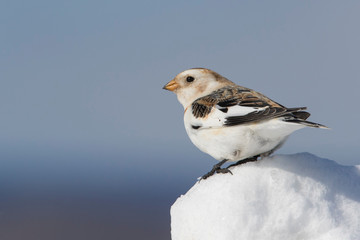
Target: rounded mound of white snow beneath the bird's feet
point(298, 196)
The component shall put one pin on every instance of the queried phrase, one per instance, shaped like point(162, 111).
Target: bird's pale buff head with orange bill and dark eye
point(192, 84)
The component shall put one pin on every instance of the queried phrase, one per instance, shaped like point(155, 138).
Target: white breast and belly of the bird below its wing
point(236, 142)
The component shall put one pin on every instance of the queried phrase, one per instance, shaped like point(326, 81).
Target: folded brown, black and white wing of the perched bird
point(235, 105)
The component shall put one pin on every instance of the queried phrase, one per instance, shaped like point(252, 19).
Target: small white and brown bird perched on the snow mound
point(230, 122)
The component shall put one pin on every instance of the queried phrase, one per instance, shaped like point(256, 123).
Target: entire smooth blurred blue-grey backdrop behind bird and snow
point(91, 147)
